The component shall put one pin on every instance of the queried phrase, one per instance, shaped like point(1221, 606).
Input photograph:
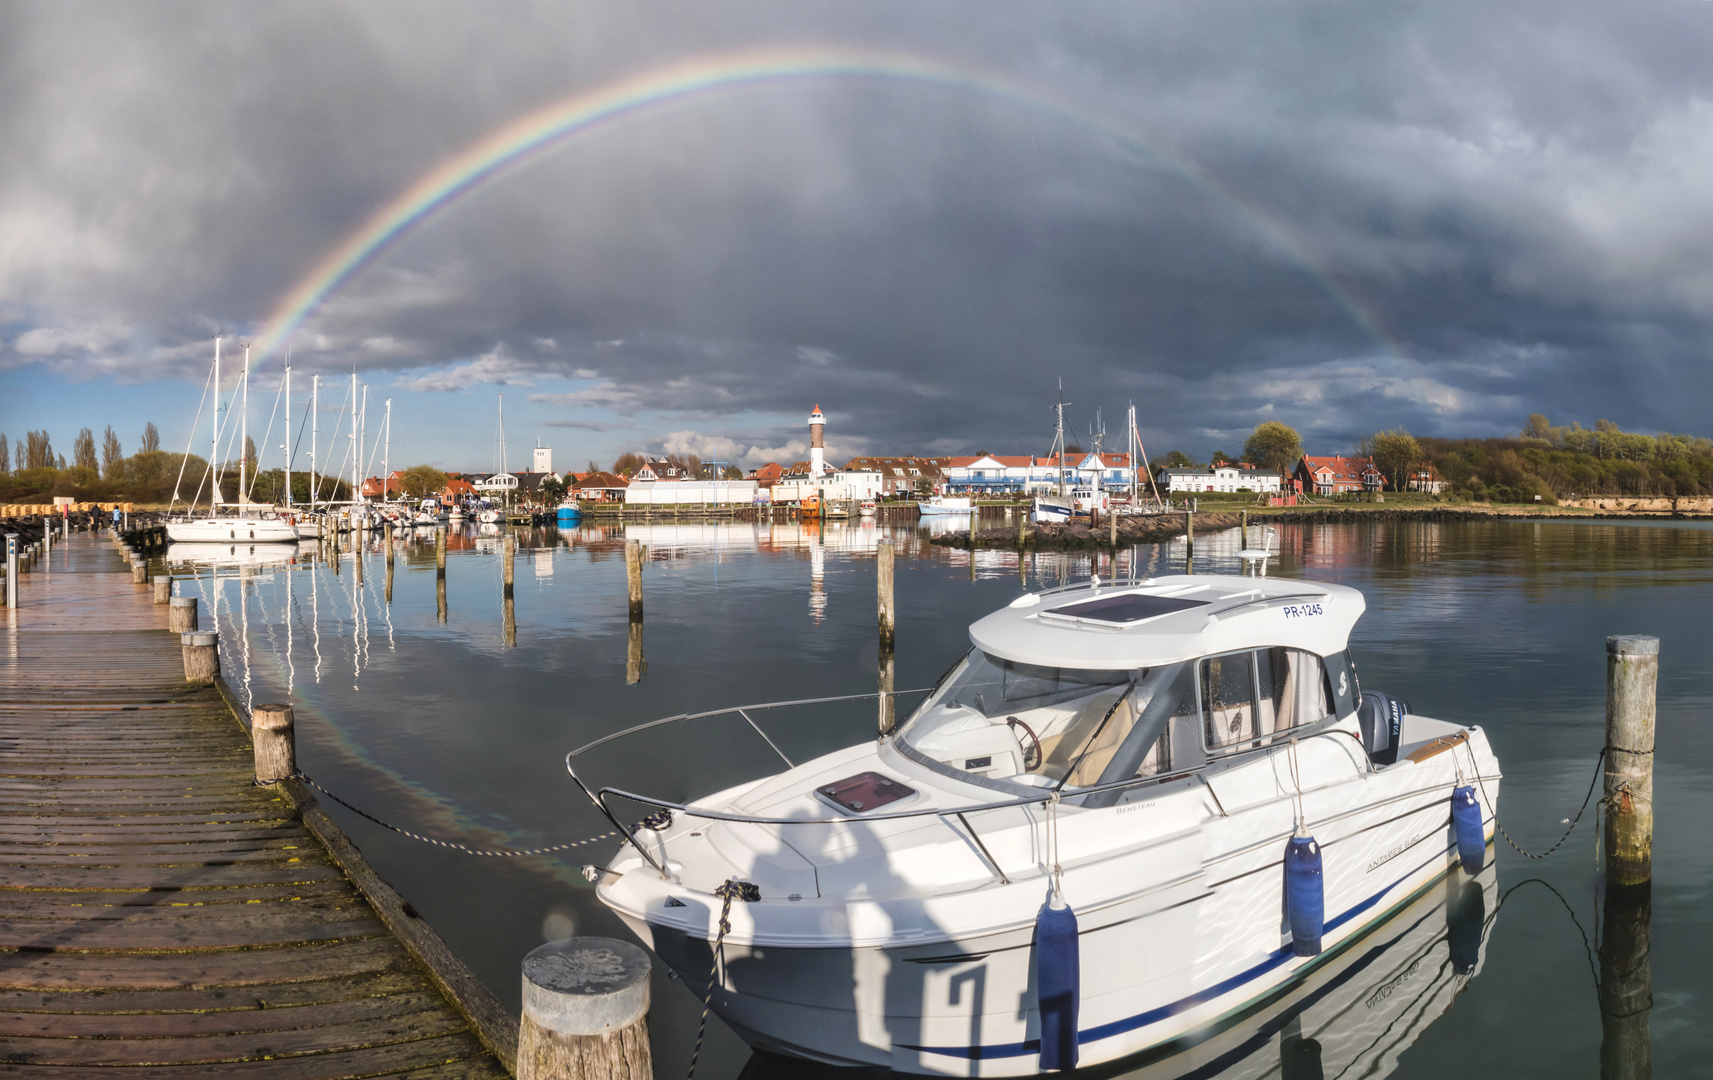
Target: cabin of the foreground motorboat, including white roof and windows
point(1097, 687)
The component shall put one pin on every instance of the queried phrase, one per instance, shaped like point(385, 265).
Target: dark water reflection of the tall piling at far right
point(1626, 985)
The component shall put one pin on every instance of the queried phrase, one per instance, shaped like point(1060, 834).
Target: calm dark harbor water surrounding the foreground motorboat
point(455, 733)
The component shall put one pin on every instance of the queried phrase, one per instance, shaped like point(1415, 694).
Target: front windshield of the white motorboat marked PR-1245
point(1049, 726)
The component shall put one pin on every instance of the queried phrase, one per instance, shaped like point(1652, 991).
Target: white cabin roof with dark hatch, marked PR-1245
point(1169, 620)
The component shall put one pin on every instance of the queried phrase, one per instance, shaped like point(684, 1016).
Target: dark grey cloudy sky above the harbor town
point(1347, 217)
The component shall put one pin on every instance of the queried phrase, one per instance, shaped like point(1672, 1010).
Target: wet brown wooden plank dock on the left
point(160, 915)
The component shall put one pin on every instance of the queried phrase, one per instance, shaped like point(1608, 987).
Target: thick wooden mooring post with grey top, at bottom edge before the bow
point(585, 1012)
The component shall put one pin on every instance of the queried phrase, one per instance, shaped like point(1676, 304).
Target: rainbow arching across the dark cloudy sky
point(551, 126)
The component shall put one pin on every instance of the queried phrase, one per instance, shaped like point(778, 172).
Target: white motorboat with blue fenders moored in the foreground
point(1130, 812)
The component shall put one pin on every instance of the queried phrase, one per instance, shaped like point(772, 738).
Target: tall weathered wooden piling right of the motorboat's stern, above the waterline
point(1633, 676)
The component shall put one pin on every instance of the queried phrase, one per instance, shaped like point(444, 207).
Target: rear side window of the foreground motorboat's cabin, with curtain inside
point(1248, 699)
